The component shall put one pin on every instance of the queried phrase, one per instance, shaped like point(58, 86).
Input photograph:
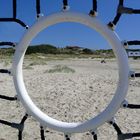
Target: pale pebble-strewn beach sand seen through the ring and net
point(77, 94)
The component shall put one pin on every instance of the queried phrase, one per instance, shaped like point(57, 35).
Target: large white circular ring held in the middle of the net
point(123, 70)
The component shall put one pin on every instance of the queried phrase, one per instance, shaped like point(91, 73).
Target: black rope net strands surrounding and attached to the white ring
point(121, 10)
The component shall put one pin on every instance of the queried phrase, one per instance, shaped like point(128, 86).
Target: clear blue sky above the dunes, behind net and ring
point(65, 34)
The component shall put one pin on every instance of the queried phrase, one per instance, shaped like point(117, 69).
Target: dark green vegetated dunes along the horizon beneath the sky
point(43, 49)
